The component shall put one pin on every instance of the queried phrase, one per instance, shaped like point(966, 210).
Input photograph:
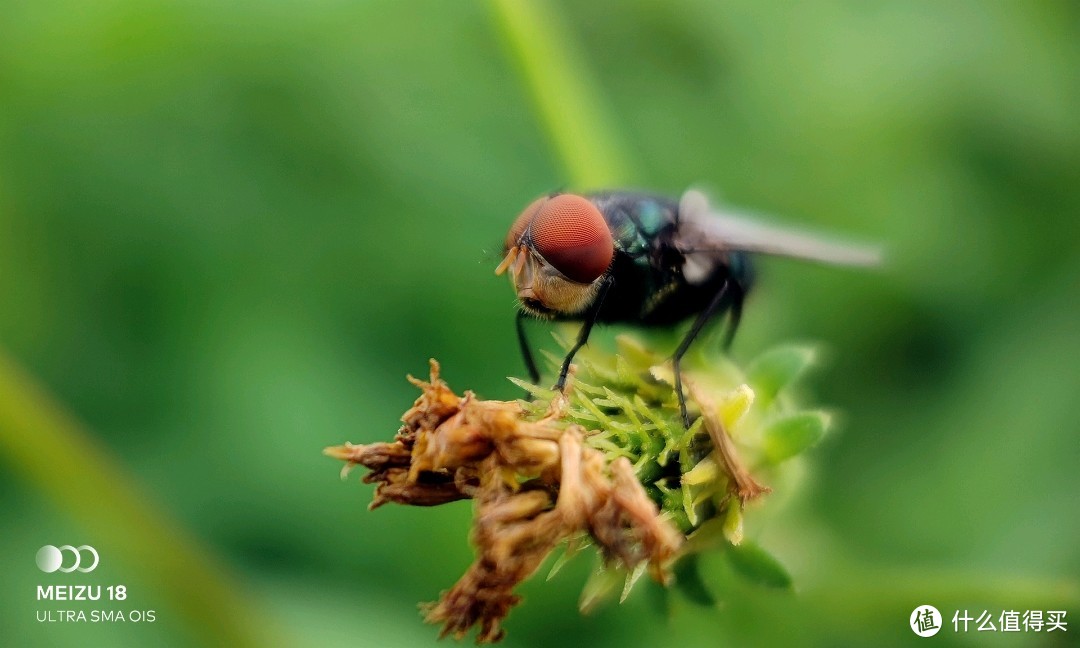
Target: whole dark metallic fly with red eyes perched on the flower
point(646, 261)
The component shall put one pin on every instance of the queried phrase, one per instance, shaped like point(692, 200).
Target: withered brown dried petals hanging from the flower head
point(535, 484)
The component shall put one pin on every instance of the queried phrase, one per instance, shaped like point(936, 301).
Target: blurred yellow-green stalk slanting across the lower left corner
point(59, 456)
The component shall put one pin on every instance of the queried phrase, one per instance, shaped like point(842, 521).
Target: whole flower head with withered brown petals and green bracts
point(609, 465)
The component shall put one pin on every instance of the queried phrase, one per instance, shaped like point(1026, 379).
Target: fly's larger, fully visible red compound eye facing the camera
point(571, 234)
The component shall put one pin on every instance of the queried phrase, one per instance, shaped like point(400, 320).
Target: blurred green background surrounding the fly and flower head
point(228, 231)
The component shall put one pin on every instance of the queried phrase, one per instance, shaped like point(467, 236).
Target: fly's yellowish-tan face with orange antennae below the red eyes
point(547, 293)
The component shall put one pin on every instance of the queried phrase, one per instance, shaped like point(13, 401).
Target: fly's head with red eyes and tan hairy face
point(558, 252)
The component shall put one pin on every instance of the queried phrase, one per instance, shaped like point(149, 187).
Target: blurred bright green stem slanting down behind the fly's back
point(564, 93)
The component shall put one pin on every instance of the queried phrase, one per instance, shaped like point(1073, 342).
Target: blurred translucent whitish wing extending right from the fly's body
point(705, 226)
